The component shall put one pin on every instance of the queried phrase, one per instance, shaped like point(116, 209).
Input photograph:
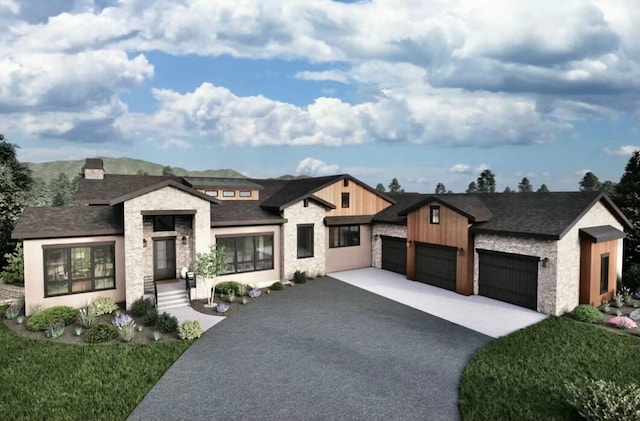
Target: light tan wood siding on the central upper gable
point(361, 200)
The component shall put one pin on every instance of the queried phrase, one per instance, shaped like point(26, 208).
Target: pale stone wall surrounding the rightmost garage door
point(547, 291)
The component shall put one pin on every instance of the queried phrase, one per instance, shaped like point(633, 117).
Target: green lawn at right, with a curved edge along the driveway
point(522, 376)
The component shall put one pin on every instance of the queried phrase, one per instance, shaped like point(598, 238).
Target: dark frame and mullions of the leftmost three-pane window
point(48, 248)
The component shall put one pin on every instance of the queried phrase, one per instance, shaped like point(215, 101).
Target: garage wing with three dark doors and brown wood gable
point(544, 251)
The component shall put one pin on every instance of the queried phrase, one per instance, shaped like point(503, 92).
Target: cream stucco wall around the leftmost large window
point(34, 273)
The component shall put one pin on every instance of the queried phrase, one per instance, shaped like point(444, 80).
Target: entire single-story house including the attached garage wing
point(544, 251)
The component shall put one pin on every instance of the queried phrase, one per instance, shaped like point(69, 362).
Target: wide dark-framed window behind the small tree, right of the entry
point(247, 253)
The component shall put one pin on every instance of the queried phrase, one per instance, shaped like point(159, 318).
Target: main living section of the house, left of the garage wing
point(128, 231)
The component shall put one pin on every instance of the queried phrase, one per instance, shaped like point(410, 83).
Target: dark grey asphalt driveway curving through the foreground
point(321, 351)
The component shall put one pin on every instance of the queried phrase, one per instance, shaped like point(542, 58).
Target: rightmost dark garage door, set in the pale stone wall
point(508, 277)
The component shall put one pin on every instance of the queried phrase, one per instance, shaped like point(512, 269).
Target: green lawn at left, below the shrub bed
point(40, 379)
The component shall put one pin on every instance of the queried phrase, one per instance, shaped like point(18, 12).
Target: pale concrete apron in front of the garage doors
point(485, 315)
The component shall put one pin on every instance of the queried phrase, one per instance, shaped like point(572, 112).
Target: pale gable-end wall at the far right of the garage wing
point(569, 256)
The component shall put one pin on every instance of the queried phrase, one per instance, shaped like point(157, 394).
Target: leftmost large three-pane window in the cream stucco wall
point(71, 270)
